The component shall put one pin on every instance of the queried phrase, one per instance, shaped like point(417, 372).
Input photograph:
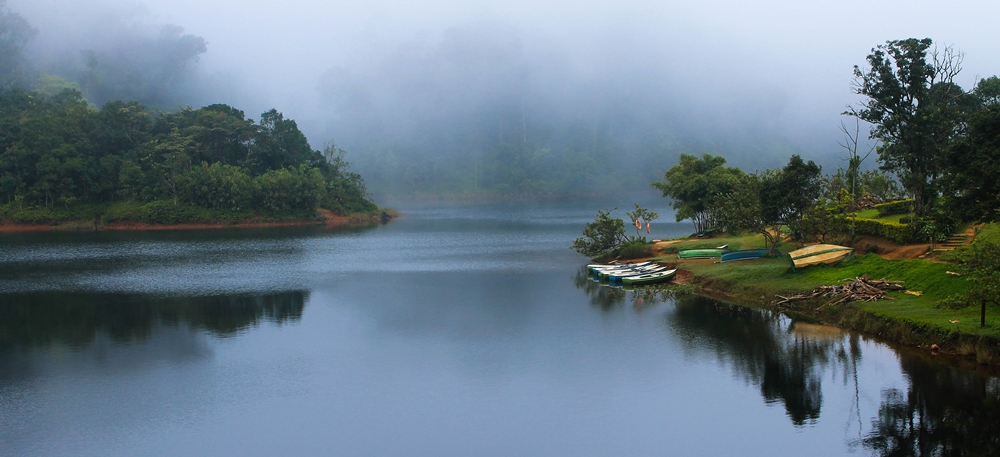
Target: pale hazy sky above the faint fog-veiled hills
point(786, 64)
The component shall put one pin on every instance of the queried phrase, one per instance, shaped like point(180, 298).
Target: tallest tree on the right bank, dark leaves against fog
point(914, 108)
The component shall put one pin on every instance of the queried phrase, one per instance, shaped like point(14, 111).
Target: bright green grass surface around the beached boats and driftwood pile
point(760, 280)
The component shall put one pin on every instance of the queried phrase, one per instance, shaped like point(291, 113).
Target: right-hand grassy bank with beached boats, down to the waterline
point(907, 319)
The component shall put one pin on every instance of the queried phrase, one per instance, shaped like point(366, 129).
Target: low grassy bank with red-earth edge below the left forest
point(160, 212)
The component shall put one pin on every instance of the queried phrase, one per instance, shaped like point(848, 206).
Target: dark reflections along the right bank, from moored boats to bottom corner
point(944, 410)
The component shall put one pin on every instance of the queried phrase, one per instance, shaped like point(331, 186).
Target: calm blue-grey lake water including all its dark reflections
point(451, 331)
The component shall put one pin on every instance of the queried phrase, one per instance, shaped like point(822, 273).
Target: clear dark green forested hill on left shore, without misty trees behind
point(58, 153)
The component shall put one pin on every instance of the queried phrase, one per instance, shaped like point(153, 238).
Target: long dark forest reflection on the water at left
point(75, 319)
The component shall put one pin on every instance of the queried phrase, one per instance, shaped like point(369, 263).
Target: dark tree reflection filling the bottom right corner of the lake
point(946, 411)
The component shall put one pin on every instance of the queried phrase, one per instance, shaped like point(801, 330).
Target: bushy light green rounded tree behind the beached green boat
point(694, 183)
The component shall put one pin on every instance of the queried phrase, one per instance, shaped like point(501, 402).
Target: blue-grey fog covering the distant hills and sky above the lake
point(434, 96)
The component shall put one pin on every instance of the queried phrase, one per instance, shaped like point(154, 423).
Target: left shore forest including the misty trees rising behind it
point(63, 158)
